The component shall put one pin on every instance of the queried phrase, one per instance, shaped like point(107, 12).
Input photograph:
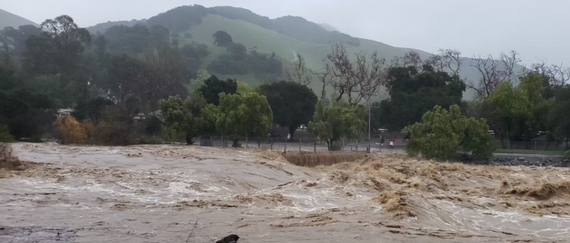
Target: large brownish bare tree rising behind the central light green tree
point(358, 80)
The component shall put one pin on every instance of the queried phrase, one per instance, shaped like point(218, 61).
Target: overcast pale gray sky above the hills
point(537, 29)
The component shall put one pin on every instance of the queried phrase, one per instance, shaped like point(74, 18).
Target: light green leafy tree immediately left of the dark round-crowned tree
point(243, 116)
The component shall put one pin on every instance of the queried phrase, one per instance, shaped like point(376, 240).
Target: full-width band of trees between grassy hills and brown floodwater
point(62, 65)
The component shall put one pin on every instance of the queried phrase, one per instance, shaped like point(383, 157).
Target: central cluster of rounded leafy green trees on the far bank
point(251, 114)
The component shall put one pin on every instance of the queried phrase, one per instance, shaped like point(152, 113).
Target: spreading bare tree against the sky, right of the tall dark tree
point(493, 72)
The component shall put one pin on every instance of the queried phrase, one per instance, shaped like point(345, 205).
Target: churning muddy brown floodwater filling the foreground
point(157, 194)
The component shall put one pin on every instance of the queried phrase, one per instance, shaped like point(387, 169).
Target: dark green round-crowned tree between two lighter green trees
point(293, 104)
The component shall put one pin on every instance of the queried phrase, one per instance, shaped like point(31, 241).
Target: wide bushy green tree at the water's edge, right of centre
point(443, 133)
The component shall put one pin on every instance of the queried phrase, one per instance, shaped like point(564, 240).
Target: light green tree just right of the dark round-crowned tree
point(335, 122)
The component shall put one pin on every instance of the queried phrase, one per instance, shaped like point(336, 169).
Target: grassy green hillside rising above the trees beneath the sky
point(285, 36)
